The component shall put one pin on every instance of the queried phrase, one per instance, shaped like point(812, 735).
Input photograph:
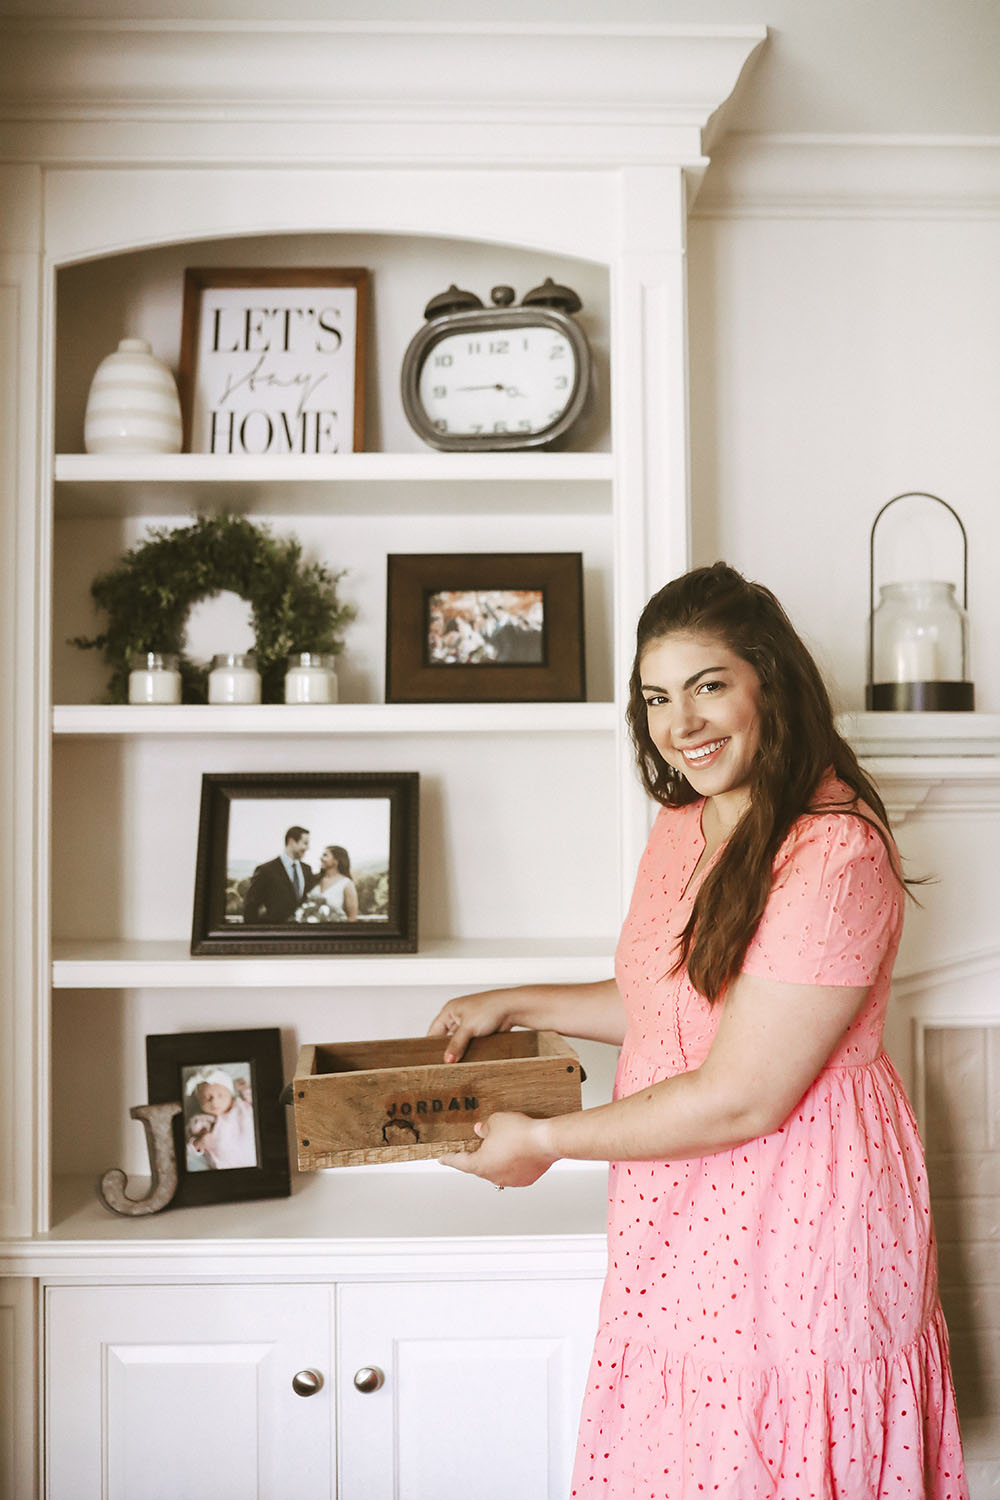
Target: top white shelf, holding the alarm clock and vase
point(91, 485)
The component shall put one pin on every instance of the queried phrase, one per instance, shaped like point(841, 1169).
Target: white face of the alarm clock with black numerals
point(496, 383)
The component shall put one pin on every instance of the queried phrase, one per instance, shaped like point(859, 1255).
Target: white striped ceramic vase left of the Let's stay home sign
point(133, 406)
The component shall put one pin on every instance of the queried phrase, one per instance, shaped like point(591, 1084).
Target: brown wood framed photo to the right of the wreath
point(485, 628)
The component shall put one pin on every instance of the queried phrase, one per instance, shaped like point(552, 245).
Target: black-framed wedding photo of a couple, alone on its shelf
point(307, 863)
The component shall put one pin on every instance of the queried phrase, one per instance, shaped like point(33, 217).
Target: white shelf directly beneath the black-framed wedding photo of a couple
point(122, 965)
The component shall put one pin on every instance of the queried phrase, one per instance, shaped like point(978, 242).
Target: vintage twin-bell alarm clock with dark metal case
point(497, 377)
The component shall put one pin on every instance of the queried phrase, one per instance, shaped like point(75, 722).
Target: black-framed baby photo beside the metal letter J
point(232, 1136)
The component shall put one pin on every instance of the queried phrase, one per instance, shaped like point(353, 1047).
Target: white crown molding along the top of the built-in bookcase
point(398, 92)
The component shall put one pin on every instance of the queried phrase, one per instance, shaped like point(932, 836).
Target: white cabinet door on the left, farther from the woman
point(187, 1393)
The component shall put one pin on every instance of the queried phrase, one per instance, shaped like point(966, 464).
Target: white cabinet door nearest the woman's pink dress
point(482, 1388)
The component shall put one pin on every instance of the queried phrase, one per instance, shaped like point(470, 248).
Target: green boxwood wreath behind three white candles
point(151, 593)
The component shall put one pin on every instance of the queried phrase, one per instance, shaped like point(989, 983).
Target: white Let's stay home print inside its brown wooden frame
point(275, 371)
